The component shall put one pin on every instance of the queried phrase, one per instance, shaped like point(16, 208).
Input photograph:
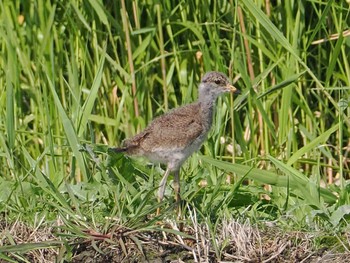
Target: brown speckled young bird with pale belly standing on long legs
point(174, 136)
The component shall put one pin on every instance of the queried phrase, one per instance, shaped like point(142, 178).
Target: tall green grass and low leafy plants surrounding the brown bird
point(78, 76)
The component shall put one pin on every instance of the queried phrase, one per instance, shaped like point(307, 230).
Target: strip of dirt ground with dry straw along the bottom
point(235, 242)
